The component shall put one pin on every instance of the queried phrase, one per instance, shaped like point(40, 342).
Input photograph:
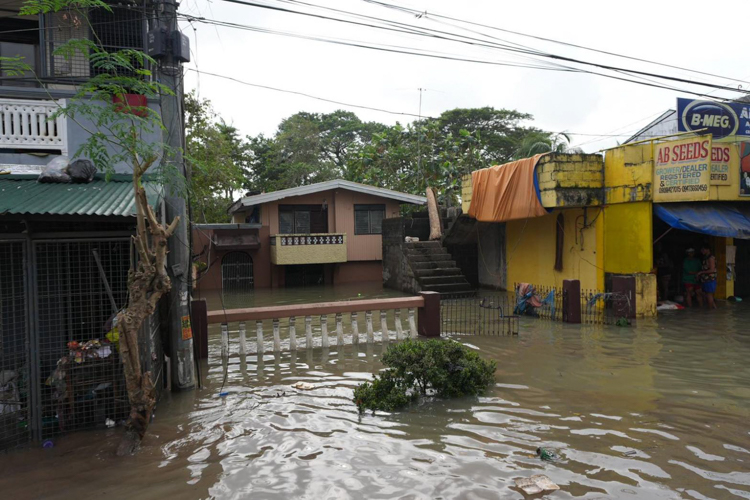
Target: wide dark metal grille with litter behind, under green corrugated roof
point(82, 385)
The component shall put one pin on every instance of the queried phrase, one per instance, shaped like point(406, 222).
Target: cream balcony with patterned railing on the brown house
point(321, 248)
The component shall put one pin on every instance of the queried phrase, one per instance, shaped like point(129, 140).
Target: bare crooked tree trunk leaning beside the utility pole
point(147, 283)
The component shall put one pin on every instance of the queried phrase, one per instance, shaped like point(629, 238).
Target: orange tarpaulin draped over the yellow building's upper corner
point(505, 192)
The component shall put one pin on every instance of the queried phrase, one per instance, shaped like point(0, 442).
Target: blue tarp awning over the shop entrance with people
point(715, 219)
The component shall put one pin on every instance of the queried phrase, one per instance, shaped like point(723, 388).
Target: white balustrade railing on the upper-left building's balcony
point(27, 124)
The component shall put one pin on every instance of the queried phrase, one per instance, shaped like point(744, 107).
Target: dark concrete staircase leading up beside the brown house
point(434, 269)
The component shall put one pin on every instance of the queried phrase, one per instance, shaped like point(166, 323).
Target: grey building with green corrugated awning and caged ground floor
point(65, 249)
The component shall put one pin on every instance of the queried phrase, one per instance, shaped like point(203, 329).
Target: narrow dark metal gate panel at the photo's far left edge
point(14, 348)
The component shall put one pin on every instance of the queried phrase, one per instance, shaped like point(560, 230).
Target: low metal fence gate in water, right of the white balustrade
point(490, 314)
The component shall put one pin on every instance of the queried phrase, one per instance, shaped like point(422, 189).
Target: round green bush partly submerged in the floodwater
point(443, 368)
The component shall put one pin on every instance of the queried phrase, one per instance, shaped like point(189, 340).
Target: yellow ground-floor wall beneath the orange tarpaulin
point(530, 250)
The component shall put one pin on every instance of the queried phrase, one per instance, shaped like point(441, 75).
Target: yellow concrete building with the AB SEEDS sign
point(606, 215)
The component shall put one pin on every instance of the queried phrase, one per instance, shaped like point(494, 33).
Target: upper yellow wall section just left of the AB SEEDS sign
point(628, 174)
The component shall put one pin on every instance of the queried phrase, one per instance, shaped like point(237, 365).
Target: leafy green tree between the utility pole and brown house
point(219, 157)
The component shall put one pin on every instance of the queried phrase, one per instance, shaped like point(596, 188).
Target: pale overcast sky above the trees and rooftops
point(678, 33)
